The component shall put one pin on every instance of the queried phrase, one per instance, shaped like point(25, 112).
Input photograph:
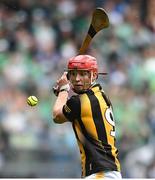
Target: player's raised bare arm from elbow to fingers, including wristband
point(61, 100)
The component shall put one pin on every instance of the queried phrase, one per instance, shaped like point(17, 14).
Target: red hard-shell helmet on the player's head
point(83, 62)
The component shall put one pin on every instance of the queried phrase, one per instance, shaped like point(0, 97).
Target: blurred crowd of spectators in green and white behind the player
point(37, 38)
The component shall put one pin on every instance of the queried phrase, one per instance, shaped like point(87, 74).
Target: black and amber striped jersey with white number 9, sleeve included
point(94, 127)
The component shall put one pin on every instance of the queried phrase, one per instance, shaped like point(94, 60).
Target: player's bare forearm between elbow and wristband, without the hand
point(61, 100)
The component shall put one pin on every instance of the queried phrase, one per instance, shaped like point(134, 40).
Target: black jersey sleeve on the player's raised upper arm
point(71, 109)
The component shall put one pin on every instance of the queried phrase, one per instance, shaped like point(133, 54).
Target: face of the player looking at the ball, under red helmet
point(80, 79)
